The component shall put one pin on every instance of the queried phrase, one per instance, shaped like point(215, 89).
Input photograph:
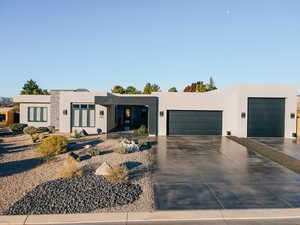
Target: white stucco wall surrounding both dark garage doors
point(232, 101)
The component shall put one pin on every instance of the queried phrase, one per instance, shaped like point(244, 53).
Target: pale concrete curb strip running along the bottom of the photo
point(156, 216)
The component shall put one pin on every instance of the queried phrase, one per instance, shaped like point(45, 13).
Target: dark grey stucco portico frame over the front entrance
point(150, 101)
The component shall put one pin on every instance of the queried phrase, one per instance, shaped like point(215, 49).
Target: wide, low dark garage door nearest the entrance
point(194, 122)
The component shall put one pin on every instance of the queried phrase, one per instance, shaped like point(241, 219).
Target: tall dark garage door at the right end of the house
point(266, 117)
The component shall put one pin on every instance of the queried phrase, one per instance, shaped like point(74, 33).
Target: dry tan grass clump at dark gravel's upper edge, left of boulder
point(71, 168)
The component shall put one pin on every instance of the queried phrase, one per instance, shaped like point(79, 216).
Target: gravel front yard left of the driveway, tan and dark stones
point(25, 178)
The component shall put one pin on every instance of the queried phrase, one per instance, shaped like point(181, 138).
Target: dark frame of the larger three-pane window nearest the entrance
point(89, 107)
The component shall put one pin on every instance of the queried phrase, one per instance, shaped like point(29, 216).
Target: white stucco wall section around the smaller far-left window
point(24, 114)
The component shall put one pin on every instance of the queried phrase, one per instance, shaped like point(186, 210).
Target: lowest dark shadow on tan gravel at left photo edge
point(14, 167)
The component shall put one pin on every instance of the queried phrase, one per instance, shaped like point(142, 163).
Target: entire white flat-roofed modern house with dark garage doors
point(244, 110)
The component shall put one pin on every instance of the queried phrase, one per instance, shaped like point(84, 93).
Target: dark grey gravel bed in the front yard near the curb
point(75, 195)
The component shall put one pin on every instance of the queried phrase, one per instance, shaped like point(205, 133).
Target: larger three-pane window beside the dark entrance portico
point(83, 115)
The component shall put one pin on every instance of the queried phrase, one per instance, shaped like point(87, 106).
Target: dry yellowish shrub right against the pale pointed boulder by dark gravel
point(117, 174)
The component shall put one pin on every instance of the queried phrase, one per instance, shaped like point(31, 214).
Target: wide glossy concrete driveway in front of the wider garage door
point(199, 172)
